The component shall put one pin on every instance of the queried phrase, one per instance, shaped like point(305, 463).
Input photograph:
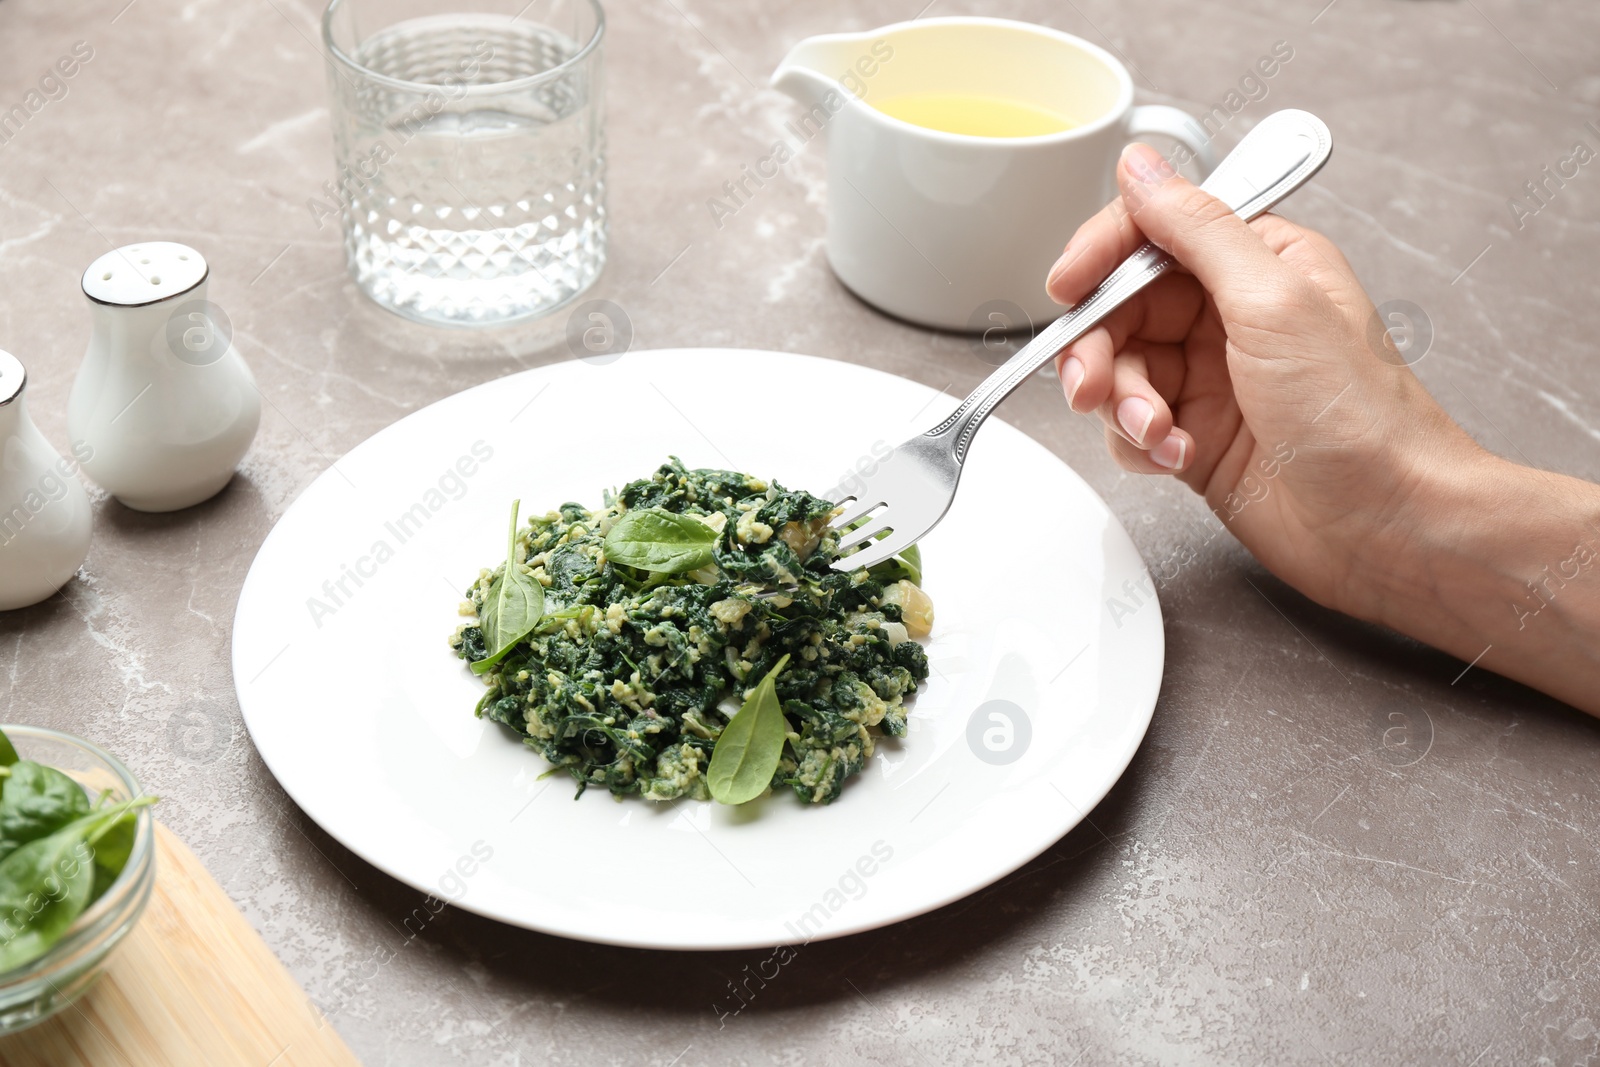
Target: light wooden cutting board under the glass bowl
point(193, 985)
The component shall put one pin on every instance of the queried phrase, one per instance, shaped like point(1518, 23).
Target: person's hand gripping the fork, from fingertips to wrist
point(1257, 375)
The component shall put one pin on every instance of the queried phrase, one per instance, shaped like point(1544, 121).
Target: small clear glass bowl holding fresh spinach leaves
point(38, 991)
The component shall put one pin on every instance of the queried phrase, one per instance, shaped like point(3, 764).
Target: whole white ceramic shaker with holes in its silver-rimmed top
point(164, 402)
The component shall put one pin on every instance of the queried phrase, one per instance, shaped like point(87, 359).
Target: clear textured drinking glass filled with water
point(471, 154)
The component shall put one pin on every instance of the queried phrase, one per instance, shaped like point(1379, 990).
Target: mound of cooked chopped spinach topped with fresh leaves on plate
point(692, 639)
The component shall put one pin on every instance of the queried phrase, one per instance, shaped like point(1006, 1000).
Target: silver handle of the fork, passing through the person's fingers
point(1271, 162)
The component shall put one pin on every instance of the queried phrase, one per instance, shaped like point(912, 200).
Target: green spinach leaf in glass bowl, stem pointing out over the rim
point(49, 882)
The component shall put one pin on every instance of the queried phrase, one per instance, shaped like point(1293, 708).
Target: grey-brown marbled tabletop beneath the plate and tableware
point(1266, 885)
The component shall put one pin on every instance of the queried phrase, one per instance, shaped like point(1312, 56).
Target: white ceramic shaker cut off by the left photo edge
point(44, 510)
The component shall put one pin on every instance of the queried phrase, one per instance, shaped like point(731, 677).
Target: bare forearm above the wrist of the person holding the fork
point(1503, 570)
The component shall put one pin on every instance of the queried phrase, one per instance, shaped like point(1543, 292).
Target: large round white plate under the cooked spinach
point(366, 717)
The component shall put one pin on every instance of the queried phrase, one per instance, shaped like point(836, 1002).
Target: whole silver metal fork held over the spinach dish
point(906, 495)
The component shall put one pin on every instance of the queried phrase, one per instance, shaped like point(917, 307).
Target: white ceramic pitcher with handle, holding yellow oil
point(935, 226)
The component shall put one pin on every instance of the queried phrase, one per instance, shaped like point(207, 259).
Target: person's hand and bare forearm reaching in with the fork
point(1262, 377)
